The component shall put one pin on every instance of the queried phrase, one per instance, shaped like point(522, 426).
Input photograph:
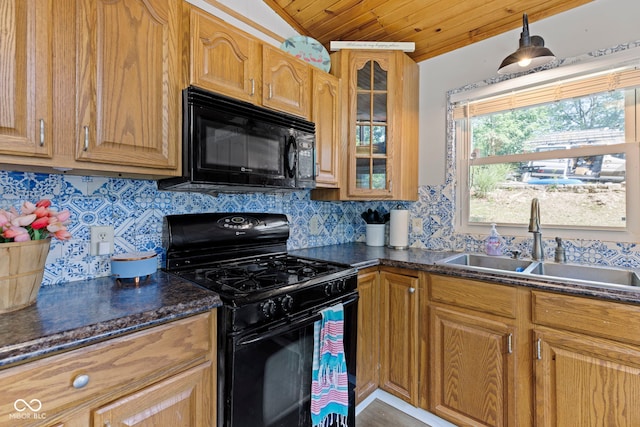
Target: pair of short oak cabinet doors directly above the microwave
point(228, 61)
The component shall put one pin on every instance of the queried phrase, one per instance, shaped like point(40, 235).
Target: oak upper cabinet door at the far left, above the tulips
point(26, 78)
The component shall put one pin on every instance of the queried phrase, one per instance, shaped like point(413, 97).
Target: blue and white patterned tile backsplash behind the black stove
point(135, 209)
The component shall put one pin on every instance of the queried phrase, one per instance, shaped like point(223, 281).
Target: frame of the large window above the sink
point(461, 140)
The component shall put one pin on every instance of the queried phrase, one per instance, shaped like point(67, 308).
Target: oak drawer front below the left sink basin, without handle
point(475, 295)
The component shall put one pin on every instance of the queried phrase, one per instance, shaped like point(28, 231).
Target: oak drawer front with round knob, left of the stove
point(47, 384)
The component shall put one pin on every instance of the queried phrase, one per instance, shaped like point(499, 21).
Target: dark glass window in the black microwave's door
point(235, 143)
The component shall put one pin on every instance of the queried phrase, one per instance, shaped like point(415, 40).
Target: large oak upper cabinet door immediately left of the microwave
point(128, 82)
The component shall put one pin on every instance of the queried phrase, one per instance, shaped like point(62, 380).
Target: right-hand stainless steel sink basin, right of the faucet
point(587, 274)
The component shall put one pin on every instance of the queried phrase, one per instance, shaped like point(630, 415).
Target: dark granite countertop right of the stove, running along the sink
point(361, 256)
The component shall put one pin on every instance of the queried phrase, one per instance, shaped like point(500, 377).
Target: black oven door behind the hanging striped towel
point(268, 375)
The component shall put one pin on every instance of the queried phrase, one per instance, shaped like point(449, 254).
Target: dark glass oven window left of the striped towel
point(272, 380)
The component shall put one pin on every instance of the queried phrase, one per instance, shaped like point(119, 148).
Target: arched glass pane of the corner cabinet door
point(371, 127)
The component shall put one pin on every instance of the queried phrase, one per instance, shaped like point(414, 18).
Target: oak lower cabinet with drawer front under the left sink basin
point(479, 353)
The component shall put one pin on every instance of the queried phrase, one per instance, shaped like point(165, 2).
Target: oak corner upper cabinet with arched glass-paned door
point(381, 154)
